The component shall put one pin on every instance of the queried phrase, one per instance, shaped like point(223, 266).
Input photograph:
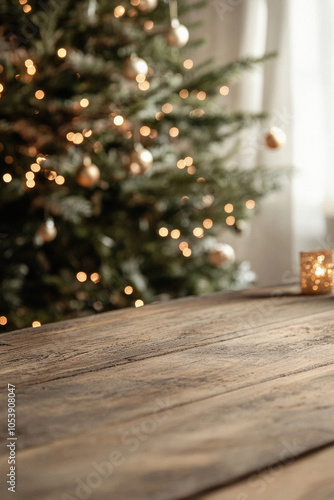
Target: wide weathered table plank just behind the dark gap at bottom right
point(182, 451)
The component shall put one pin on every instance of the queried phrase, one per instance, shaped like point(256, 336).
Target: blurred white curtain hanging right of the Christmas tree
point(296, 89)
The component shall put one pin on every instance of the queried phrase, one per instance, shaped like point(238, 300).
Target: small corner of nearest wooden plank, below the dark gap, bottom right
point(310, 478)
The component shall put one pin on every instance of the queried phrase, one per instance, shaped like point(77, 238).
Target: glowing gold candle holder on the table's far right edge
point(316, 272)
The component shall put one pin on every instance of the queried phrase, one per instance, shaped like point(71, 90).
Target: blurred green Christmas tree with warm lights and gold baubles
point(116, 175)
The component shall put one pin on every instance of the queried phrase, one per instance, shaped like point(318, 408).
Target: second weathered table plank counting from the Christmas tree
point(124, 393)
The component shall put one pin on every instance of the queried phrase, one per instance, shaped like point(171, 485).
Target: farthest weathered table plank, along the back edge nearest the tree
point(110, 339)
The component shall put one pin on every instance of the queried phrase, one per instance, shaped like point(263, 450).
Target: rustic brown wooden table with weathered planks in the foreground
point(221, 397)
